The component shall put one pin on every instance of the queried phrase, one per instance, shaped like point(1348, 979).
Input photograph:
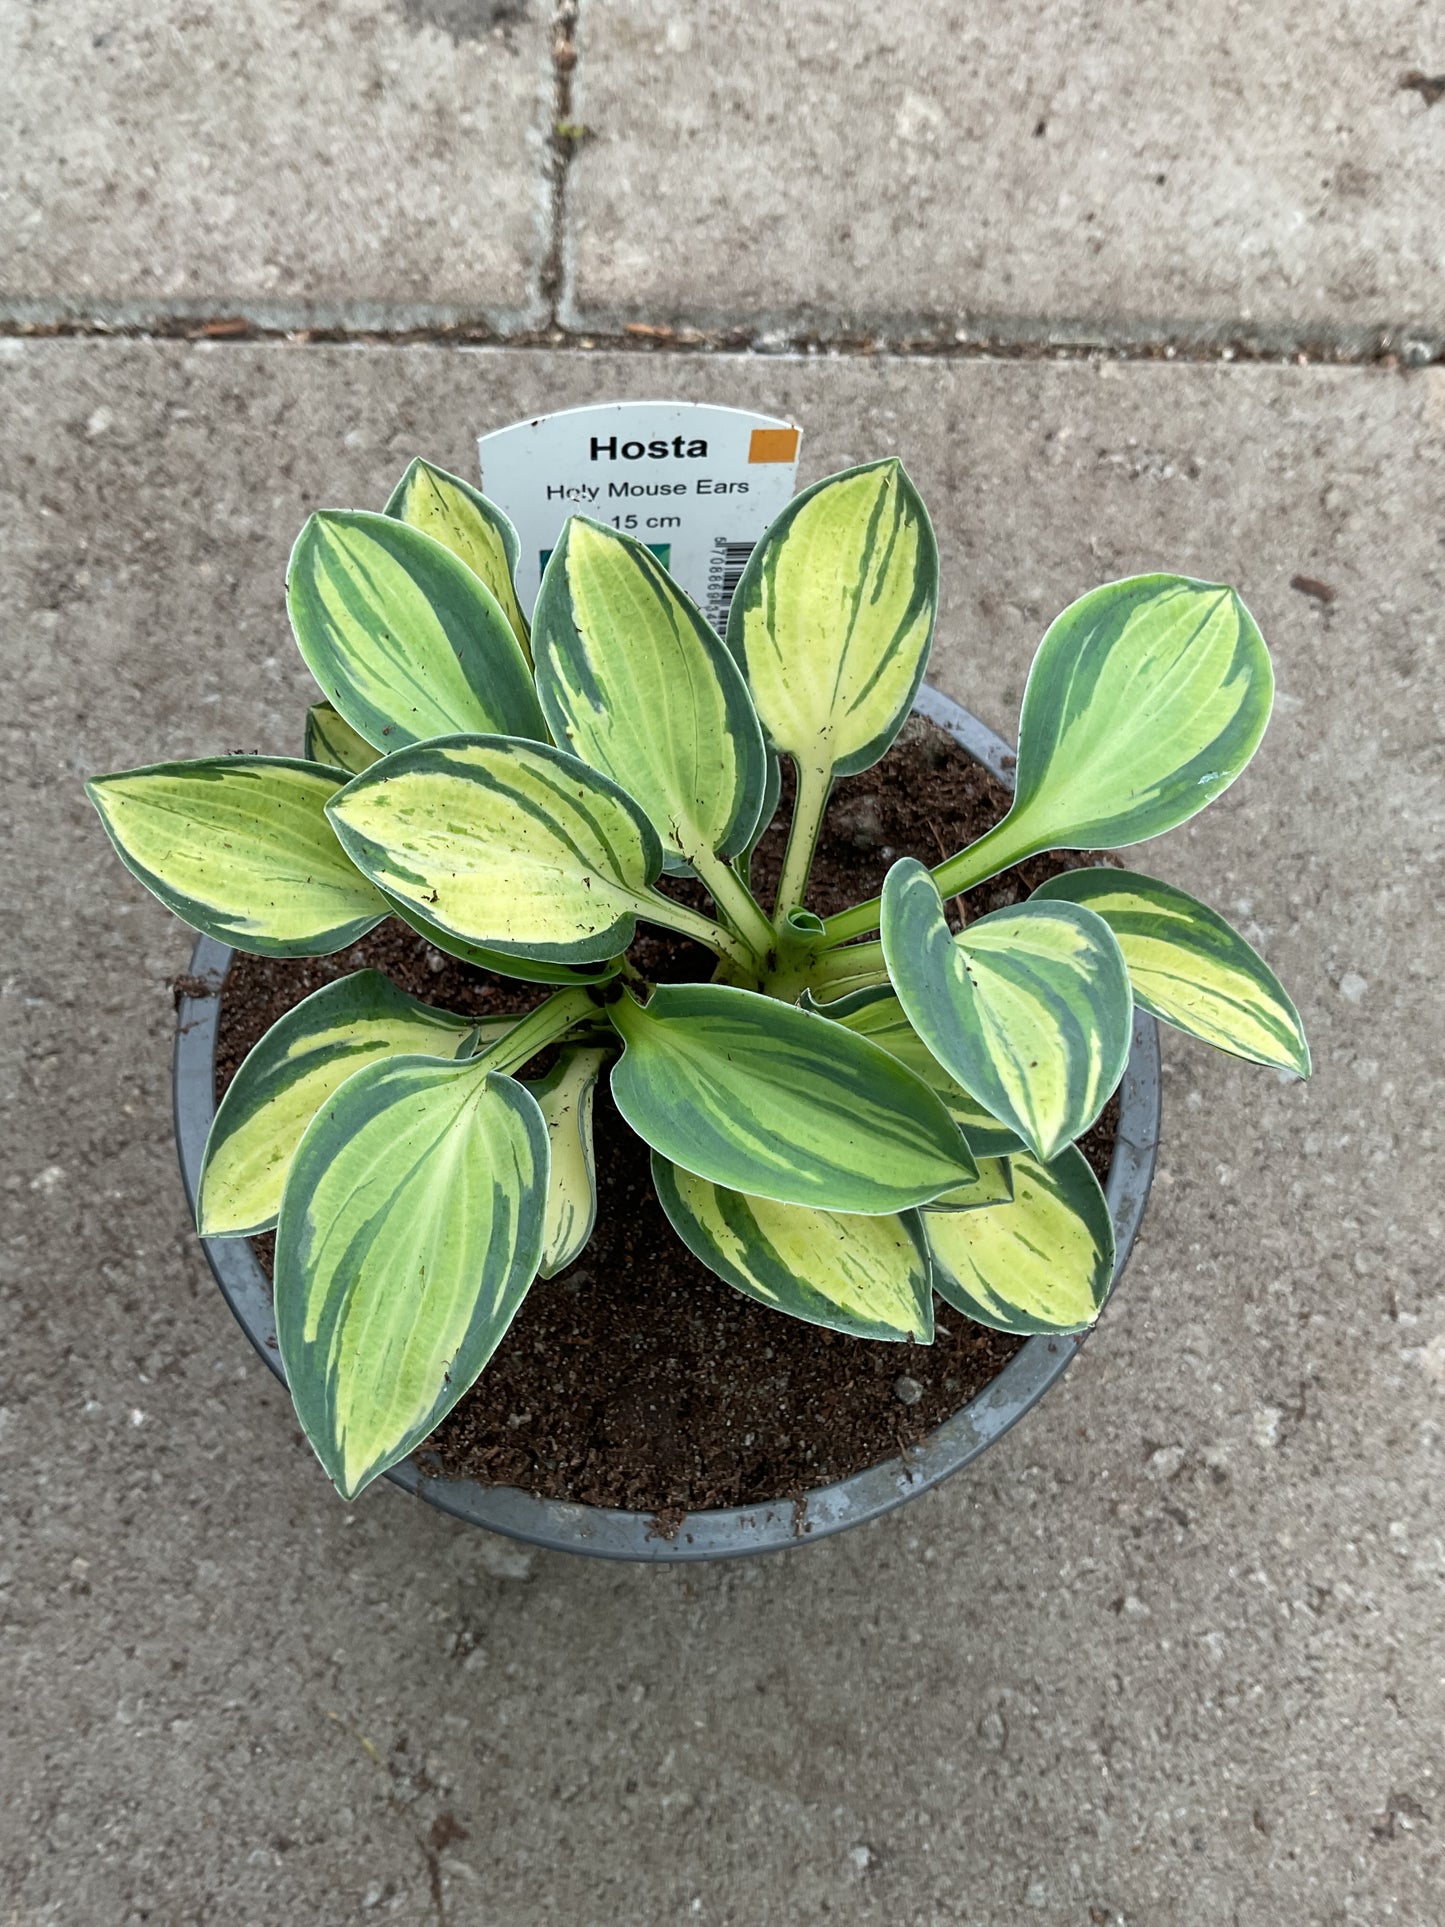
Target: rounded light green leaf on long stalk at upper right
point(1143, 702)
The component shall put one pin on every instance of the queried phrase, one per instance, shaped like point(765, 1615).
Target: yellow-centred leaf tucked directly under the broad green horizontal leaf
point(866, 1277)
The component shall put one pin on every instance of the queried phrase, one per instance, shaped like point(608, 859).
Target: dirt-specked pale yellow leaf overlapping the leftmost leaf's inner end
point(502, 843)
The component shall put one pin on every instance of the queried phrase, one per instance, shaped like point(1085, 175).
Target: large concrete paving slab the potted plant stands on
point(1172, 1654)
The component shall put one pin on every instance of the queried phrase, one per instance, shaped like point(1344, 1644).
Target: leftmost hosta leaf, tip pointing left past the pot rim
point(240, 849)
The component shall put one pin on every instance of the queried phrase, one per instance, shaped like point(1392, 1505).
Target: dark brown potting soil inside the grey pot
point(637, 1379)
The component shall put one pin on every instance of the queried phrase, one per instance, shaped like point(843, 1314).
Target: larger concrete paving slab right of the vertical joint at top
point(1221, 169)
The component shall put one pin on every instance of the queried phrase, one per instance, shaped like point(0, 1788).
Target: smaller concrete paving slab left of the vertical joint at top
point(275, 157)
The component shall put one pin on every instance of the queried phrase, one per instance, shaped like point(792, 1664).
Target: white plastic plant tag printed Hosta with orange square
point(696, 485)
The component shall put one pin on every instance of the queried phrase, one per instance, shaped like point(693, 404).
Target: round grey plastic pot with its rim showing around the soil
point(720, 1535)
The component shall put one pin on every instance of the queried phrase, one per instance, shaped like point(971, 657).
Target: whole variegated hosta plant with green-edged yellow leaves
point(849, 1115)
